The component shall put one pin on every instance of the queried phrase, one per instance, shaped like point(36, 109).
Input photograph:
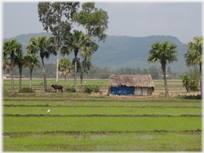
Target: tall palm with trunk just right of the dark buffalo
point(74, 42)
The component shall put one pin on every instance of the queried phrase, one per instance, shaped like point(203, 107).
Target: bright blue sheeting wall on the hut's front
point(122, 90)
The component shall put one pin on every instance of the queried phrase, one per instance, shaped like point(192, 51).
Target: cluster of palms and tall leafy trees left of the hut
point(58, 17)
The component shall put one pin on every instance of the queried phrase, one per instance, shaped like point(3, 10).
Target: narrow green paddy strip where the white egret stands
point(101, 110)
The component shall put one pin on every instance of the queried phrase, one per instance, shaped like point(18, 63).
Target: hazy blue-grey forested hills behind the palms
point(121, 51)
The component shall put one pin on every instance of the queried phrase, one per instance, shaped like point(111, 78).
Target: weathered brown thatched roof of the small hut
point(131, 81)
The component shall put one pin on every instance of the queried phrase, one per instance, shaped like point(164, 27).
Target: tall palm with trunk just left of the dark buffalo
point(44, 45)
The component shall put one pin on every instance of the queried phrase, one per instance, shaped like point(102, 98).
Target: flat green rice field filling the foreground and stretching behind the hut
point(95, 122)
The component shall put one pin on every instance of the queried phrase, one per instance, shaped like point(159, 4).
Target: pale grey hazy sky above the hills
point(182, 20)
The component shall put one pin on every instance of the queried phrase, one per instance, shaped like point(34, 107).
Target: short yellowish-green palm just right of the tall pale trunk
point(65, 66)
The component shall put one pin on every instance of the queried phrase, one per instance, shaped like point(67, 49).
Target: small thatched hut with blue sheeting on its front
point(131, 85)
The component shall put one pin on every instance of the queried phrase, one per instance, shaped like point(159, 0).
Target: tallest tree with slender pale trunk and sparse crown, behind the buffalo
point(57, 17)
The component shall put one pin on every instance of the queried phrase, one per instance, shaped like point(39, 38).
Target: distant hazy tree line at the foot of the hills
point(96, 72)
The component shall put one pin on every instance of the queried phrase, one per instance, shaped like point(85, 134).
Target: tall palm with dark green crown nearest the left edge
point(11, 47)
